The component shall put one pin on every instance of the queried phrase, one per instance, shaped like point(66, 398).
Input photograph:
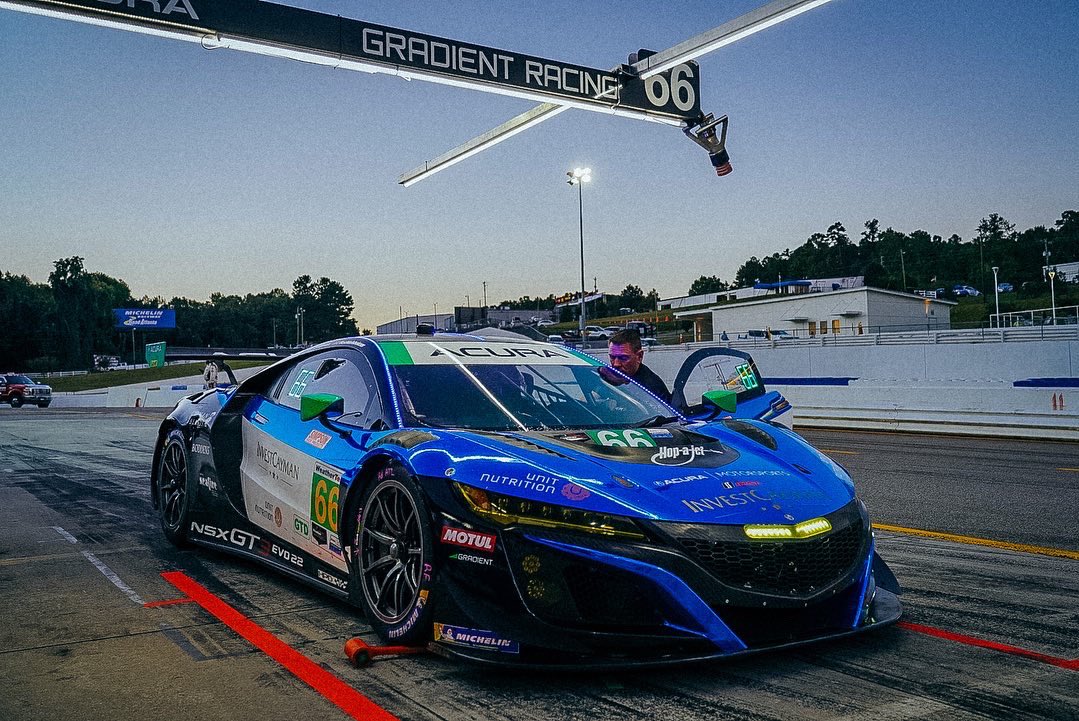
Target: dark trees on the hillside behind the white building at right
point(918, 261)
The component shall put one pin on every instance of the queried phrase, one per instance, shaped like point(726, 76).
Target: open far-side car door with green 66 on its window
point(733, 376)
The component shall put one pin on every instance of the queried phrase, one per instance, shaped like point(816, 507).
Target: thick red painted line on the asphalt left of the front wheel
point(354, 704)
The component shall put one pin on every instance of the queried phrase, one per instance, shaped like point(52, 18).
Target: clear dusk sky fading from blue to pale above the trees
point(187, 172)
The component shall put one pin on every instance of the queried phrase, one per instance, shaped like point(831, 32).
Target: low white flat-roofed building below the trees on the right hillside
point(852, 311)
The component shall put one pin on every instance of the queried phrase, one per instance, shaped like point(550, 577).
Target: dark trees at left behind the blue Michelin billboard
point(66, 323)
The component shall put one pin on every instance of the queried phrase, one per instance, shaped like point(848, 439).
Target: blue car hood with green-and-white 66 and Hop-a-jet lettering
point(691, 473)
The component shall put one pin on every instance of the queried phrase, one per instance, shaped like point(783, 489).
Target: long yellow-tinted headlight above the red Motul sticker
point(508, 511)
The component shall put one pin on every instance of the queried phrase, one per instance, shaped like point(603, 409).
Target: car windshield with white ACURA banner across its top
point(513, 387)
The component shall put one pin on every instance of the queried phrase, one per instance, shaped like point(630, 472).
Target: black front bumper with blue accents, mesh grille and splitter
point(572, 602)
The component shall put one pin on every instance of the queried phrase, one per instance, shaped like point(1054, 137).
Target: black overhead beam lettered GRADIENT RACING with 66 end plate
point(271, 29)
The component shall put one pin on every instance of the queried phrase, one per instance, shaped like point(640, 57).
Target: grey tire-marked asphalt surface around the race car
point(75, 645)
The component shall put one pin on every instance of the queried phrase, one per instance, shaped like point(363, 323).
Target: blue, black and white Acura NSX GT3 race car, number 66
point(501, 500)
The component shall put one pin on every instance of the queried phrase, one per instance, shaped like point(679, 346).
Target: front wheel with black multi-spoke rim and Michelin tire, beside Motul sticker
point(393, 557)
